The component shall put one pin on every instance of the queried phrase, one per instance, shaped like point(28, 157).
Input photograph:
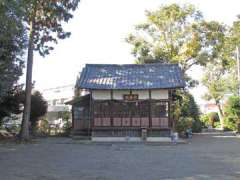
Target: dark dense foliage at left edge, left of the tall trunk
point(12, 45)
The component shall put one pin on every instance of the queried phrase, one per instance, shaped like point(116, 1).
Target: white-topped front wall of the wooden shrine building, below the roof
point(115, 113)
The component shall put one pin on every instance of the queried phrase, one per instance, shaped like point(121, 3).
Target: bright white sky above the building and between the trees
point(98, 31)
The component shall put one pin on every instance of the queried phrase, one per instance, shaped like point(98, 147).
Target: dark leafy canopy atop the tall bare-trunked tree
point(46, 18)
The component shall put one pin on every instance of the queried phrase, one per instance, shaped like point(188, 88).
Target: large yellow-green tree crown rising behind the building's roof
point(176, 34)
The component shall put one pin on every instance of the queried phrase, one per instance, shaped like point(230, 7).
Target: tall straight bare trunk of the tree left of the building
point(24, 133)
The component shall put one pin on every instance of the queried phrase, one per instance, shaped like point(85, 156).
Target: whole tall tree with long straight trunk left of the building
point(44, 20)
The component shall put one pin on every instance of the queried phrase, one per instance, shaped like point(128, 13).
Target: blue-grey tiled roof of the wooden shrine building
point(131, 76)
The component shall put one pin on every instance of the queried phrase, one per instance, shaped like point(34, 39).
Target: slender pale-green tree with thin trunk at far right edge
point(220, 76)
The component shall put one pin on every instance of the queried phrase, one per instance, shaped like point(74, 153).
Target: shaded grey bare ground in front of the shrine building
point(204, 157)
